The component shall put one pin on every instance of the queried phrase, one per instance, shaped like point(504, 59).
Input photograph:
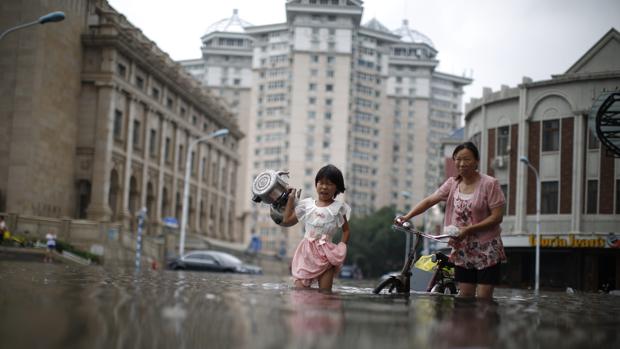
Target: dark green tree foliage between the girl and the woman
point(373, 245)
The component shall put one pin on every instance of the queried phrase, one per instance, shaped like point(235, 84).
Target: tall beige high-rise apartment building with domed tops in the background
point(325, 89)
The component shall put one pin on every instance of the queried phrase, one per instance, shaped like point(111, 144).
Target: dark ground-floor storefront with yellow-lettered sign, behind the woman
point(582, 262)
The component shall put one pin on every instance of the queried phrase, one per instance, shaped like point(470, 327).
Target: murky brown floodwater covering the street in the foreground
point(61, 306)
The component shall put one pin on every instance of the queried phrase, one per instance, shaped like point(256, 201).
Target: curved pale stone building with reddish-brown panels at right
point(547, 121)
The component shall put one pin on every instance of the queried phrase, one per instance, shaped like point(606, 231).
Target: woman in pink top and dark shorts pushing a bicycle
point(474, 204)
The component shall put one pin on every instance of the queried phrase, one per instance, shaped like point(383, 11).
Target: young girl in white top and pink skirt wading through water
point(317, 257)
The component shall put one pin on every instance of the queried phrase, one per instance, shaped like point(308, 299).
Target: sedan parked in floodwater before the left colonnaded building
point(212, 261)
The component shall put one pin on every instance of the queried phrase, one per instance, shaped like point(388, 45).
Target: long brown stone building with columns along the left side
point(95, 121)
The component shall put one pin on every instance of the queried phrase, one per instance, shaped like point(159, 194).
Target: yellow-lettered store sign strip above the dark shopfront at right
point(610, 240)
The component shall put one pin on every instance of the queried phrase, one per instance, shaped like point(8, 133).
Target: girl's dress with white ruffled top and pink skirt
point(316, 252)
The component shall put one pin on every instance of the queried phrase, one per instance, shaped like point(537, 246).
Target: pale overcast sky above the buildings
point(500, 41)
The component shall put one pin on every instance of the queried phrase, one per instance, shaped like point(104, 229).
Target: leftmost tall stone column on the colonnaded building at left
point(99, 209)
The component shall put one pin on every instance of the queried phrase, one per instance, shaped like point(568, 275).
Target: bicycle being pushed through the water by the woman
point(443, 277)
